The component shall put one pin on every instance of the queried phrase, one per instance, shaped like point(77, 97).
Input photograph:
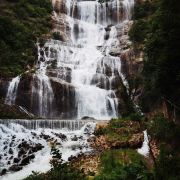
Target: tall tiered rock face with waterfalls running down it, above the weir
point(81, 73)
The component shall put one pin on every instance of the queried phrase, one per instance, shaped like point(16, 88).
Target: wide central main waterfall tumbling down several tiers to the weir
point(93, 69)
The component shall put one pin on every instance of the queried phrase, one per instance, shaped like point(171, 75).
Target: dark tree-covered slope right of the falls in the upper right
point(156, 32)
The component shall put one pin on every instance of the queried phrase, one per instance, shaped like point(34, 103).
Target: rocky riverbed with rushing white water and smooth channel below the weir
point(21, 147)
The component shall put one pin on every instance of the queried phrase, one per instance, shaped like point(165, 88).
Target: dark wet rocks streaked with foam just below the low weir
point(21, 147)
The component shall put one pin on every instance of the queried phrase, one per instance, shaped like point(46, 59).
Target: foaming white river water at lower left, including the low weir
point(8, 129)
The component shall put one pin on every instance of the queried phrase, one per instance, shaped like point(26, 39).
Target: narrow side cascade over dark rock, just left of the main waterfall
point(42, 93)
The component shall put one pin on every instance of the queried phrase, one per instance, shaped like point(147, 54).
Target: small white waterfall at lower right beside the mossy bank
point(144, 150)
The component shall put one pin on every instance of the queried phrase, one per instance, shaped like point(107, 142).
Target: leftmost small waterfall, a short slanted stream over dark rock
point(12, 91)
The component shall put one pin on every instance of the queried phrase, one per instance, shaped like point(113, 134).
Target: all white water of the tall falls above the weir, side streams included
point(84, 61)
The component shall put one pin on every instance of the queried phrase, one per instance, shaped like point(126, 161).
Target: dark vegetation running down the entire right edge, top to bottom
point(156, 32)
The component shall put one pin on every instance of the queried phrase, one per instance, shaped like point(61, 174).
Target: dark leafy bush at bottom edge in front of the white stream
point(59, 170)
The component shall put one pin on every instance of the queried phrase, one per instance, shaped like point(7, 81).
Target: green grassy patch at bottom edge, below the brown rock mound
point(122, 165)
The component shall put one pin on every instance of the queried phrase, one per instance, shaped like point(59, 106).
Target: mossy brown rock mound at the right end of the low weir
point(120, 133)
